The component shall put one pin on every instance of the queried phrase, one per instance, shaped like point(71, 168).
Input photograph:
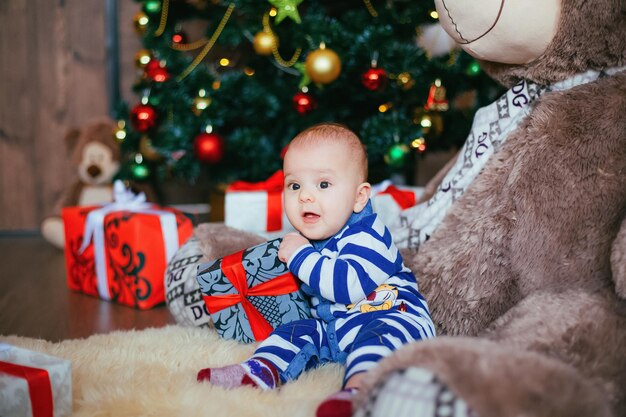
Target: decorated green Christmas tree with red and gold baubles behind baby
point(223, 103)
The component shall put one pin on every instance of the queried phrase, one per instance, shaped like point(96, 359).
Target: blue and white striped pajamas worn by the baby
point(365, 304)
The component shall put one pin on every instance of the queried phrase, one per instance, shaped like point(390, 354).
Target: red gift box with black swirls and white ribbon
point(120, 251)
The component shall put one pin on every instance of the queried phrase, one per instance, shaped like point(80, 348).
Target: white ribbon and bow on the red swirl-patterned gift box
point(124, 200)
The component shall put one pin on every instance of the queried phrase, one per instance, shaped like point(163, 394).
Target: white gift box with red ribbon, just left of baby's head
point(257, 207)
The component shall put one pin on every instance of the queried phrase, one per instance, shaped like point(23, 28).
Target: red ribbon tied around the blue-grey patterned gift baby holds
point(232, 267)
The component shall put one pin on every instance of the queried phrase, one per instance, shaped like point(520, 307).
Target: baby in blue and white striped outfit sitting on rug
point(365, 302)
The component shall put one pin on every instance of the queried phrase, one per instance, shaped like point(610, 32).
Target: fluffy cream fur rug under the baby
point(153, 373)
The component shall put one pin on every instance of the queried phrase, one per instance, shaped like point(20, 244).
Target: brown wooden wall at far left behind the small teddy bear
point(52, 77)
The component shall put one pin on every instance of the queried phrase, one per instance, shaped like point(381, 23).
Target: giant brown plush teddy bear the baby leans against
point(525, 274)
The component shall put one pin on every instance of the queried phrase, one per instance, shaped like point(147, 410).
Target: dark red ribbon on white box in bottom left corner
point(39, 386)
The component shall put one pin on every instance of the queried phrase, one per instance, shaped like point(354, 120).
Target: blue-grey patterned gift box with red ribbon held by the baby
point(251, 292)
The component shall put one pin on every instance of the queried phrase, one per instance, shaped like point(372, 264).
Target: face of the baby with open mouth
point(321, 188)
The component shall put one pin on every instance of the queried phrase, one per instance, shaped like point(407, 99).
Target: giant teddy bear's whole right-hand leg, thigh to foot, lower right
point(547, 356)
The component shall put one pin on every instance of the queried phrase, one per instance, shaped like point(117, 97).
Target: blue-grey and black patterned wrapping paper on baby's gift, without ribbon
point(261, 264)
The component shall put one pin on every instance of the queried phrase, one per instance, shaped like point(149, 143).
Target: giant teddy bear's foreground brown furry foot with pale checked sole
point(488, 378)
